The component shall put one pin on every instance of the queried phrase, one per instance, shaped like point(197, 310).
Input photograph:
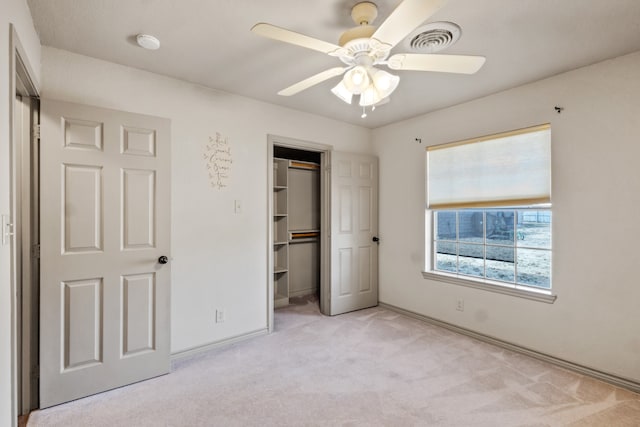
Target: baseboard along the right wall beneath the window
point(611, 379)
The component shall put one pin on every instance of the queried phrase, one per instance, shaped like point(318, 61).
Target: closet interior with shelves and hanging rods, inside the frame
point(296, 224)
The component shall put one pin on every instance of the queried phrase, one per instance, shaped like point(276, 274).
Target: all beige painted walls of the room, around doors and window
point(220, 257)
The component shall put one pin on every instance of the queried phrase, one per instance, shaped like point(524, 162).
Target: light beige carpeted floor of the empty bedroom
point(368, 368)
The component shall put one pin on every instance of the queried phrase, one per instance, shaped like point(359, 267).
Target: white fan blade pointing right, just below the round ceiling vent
point(461, 64)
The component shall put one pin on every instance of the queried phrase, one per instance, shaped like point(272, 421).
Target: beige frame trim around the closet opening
point(325, 217)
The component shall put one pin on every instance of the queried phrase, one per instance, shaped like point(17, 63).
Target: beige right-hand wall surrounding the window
point(596, 200)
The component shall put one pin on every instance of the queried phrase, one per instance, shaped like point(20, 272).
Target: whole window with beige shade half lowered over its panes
point(489, 201)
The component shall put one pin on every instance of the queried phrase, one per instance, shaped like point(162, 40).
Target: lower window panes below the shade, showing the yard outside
point(504, 245)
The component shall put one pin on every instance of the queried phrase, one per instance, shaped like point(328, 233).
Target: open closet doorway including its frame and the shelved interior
point(298, 223)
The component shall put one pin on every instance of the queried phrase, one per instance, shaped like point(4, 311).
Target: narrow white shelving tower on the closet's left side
point(280, 233)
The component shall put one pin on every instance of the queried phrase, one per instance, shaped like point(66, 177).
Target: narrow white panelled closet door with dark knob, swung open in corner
point(354, 230)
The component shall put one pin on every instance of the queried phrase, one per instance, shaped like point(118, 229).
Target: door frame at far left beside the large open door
point(24, 209)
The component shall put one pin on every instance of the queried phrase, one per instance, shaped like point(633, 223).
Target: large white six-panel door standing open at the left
point(105, 222)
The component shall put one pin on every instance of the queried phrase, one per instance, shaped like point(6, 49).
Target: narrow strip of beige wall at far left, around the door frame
point(17, 13)
